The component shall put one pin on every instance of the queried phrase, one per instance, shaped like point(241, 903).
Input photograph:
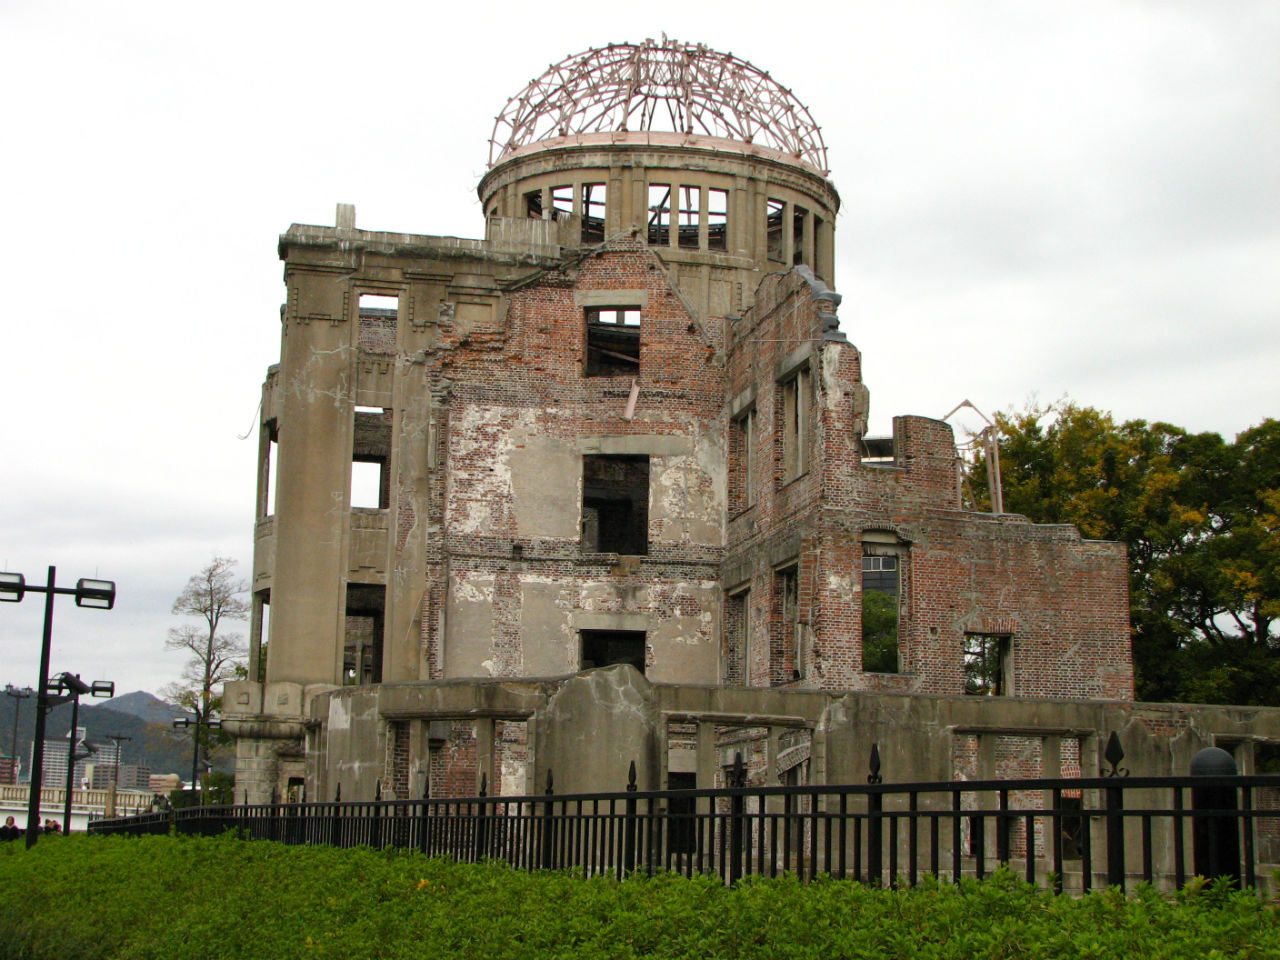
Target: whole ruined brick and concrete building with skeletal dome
point(597, 488)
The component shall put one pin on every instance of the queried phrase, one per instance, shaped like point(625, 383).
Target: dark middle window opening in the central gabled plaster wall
point(616, 505)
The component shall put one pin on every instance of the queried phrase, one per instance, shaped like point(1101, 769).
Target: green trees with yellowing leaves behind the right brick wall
point(1200, 519)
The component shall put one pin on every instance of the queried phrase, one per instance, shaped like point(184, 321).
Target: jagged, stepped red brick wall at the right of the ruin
point(1063, 602)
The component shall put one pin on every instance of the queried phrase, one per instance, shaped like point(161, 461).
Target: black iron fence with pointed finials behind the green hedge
point(1071, 834)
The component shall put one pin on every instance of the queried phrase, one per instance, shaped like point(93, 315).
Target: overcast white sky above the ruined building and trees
point(1040, 199)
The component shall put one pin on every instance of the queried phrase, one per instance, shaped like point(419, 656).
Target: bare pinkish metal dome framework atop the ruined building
point(666, 86)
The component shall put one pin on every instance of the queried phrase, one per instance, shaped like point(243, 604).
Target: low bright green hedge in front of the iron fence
point(182, 899)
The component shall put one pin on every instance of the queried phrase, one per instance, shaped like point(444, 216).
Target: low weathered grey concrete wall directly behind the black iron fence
point(589, 728)
